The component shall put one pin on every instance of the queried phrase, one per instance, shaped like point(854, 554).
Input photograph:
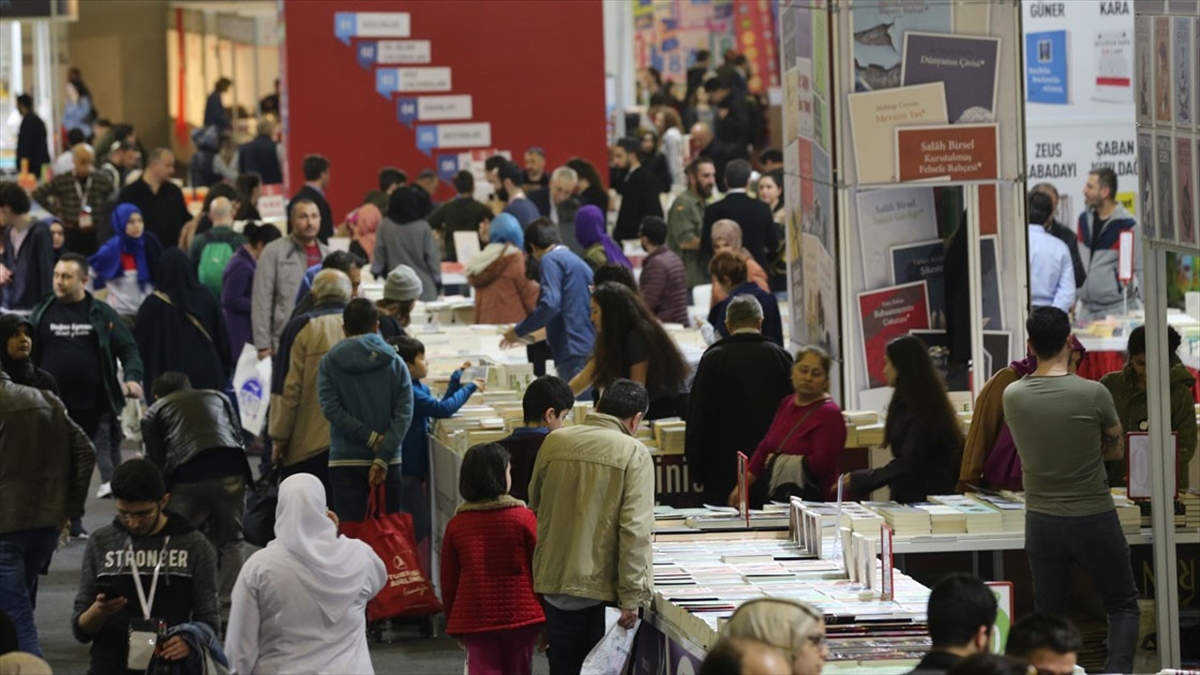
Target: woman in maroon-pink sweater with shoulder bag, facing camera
point(807, 423)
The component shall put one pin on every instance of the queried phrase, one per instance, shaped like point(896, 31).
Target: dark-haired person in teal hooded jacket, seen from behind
point(367, 393)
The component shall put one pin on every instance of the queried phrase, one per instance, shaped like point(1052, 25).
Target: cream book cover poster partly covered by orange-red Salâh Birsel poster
point(874, 117)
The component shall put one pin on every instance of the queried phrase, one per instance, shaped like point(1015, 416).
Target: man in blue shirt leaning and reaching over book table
point(565, 304)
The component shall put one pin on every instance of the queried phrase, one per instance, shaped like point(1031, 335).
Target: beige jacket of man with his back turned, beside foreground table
point(593, 489)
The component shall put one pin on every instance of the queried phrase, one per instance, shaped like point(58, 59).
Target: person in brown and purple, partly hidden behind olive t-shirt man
point(989, 457)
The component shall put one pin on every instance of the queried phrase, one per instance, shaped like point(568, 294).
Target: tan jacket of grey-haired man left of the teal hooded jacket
point(297, 420)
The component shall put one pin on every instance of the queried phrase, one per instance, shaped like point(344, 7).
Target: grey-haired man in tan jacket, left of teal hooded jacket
point(298, 427)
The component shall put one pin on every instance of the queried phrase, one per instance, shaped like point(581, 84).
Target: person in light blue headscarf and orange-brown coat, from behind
point(503, 291)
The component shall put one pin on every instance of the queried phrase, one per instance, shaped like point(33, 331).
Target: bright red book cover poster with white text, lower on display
point(887, 314)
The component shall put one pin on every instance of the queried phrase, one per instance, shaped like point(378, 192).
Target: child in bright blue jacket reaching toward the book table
point(416, 452)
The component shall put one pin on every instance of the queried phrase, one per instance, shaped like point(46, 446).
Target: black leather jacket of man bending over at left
point(184, 425)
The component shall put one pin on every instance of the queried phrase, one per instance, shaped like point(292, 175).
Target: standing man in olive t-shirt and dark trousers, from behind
point(1065, 428)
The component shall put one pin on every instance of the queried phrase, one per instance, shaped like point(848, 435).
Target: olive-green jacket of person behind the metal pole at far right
point(1131, 404)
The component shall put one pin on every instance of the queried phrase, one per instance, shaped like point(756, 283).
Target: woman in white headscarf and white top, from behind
point(301, 604)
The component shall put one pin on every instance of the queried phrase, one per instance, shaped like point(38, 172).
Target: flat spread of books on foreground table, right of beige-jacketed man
point(699, 586)
